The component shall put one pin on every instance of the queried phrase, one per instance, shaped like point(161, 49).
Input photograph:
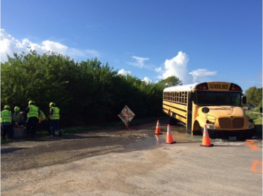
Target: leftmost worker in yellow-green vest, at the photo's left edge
point(6, 123)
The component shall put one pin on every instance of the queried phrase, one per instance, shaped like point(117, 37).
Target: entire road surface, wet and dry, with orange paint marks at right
point(134, 162)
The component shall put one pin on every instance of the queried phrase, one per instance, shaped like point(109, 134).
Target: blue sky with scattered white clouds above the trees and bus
point(194, 40)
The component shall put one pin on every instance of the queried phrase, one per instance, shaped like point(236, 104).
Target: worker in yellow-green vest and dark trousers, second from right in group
point(33, 113)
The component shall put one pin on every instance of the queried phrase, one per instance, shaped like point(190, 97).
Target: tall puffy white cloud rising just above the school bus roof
point(177, 66)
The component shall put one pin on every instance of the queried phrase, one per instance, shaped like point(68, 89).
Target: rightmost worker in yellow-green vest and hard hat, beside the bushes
point(54, 117)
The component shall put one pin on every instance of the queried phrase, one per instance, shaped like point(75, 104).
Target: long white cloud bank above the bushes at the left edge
point(10, 45)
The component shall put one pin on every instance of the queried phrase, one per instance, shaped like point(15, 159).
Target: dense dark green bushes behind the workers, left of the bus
point(86, 91)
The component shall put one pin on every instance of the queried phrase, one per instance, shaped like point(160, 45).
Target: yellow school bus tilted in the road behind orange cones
point(225, 119)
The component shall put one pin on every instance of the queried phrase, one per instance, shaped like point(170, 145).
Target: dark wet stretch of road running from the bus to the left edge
point(26, 154)
